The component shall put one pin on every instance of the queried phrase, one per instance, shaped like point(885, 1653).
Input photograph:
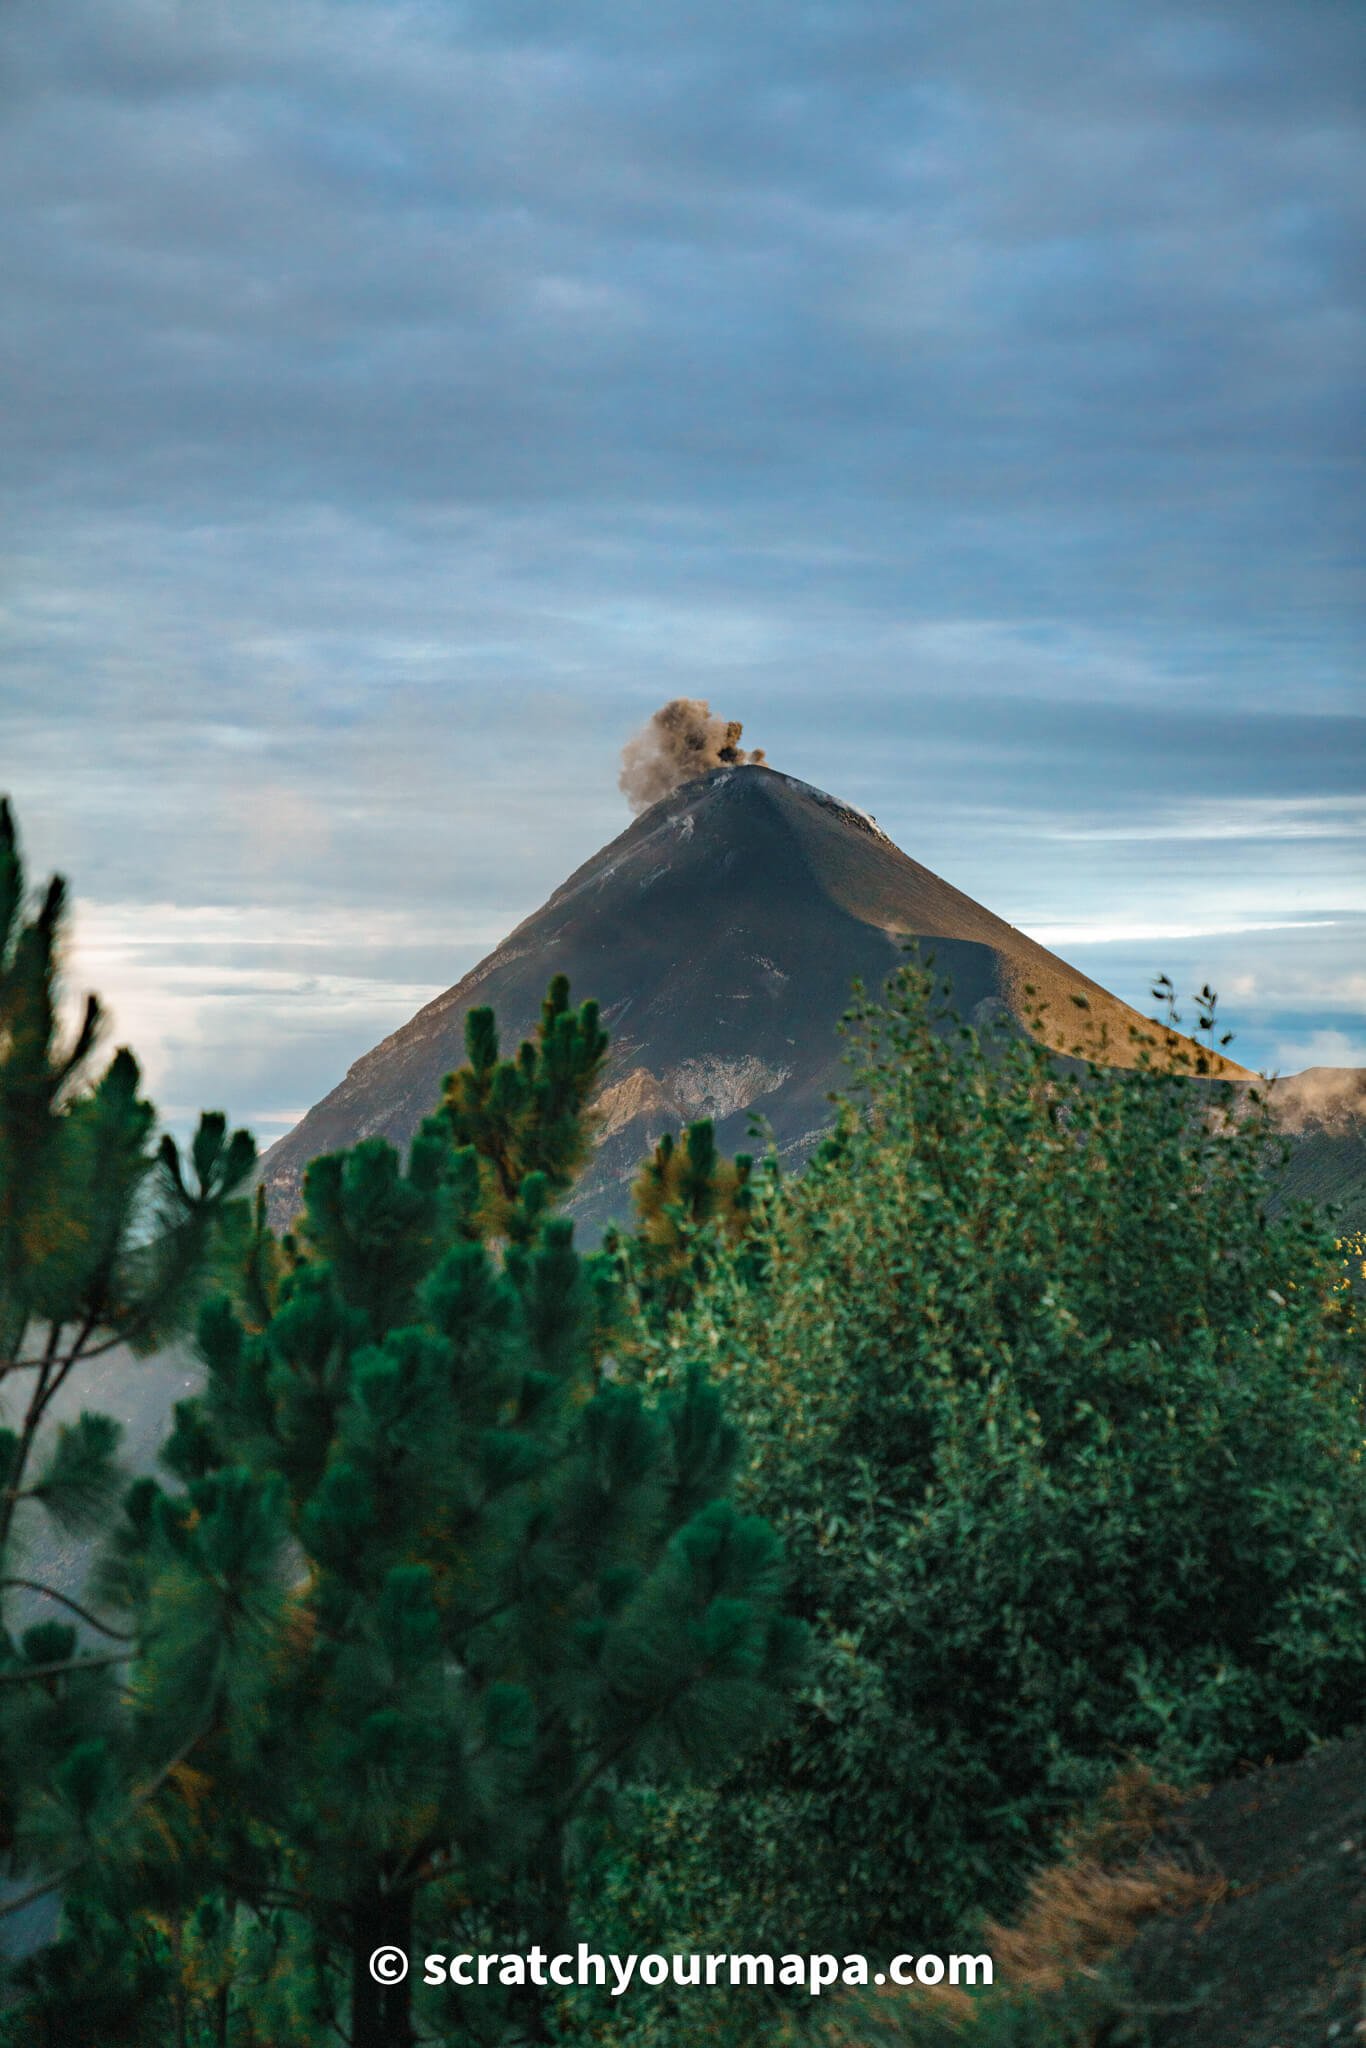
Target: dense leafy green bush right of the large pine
point(1064, 1433)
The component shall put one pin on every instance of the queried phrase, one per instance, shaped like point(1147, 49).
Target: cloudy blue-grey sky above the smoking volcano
point(402, 400)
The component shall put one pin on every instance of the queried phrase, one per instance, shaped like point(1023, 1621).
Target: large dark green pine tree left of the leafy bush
point(435, 1584)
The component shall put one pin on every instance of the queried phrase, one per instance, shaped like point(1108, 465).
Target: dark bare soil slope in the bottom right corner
point(1281, 1963)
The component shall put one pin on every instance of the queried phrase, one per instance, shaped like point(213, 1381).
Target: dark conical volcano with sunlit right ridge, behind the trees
point(720, 935)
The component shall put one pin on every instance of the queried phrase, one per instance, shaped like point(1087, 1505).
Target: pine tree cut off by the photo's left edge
point(105, 1240)
